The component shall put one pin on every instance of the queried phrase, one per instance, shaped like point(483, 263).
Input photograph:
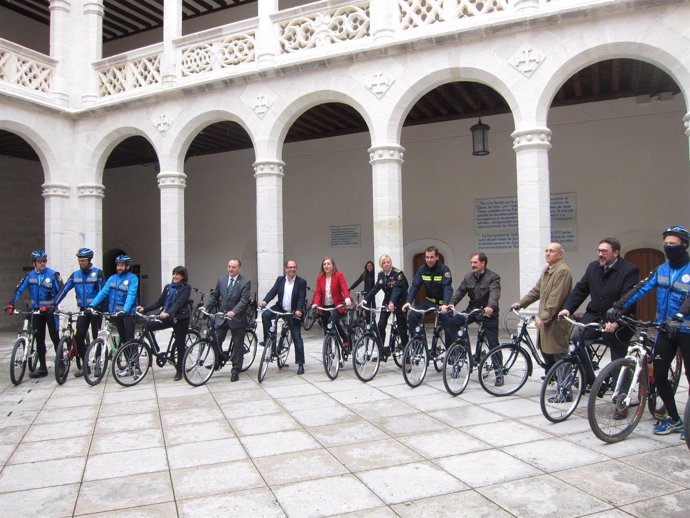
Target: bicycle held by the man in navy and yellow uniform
point(417, 353)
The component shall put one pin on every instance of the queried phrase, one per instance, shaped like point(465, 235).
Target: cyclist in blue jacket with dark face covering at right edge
point(672, 282)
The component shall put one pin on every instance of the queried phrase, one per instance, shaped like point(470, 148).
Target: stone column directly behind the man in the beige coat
point(534, 201)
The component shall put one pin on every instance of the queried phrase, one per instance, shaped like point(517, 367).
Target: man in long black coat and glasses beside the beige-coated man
point(605, 281)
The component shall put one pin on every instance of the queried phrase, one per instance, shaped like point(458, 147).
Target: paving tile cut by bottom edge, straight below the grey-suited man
point(257, 503)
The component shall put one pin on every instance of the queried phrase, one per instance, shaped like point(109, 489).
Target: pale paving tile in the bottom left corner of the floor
point(48, 502)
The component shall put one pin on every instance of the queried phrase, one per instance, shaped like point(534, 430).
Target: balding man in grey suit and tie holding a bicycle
point(231, 296)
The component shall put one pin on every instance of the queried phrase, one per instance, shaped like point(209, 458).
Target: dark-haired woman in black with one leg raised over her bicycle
point(176, 312)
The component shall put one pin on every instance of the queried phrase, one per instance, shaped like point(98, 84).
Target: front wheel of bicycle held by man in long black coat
point(561, 390)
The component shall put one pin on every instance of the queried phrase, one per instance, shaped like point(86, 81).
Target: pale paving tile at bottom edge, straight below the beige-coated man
point(542, 496)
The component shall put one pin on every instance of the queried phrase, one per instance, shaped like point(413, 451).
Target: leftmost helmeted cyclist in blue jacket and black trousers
point(43, 285)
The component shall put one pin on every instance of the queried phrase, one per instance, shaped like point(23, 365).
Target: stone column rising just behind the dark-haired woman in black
point(171, 185)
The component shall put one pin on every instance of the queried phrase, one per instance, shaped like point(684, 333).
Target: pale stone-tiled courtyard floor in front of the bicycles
point(306, 446)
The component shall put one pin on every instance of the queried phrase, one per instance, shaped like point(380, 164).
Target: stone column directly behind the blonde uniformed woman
point(386, 164)
